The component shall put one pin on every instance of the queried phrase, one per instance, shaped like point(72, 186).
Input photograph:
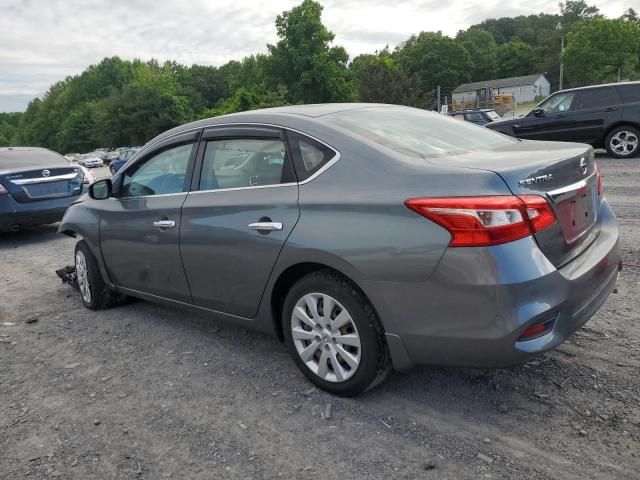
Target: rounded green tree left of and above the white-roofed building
point(436, 59)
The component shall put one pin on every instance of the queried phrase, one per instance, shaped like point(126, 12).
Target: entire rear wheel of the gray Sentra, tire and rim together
point(343, 350)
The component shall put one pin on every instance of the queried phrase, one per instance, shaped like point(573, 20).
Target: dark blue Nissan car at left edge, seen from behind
point(36, 187)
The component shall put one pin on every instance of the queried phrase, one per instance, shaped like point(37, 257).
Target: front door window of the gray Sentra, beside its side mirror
point(161, 174)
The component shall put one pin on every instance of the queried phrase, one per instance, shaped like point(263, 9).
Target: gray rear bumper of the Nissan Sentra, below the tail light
point(479, 301)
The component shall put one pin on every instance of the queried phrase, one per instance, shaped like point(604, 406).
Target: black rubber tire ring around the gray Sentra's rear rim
point(364, 318)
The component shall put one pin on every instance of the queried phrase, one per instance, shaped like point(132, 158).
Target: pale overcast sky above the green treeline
point(44, 41)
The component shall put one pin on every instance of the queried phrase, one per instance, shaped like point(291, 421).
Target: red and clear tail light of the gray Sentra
point(482, 221)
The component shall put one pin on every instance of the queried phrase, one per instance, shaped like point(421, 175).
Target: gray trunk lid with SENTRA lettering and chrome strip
point(564, 173)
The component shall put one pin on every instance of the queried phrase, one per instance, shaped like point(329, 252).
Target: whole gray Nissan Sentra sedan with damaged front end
point(365, 236)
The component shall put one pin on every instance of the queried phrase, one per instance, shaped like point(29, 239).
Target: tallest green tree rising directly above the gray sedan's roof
point(304, 61)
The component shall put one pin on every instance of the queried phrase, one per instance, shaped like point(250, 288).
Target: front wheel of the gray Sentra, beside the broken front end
point(95, 294)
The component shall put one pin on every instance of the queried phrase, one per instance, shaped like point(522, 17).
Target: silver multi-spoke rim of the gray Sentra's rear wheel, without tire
point(326, 337)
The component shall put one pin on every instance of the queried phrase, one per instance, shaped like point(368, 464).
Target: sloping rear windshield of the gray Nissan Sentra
point(417, 132)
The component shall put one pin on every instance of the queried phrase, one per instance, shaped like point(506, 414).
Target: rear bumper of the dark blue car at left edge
point(15, 215)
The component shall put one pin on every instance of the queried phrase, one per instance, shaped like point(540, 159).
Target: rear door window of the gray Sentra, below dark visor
point(244, 162)
